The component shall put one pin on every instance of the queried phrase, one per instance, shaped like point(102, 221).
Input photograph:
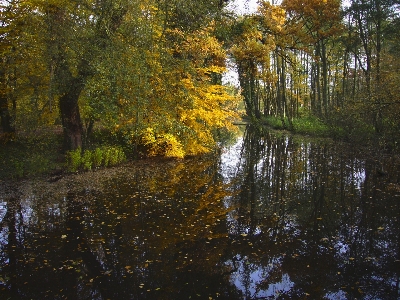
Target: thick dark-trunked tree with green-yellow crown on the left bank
point(77, 34)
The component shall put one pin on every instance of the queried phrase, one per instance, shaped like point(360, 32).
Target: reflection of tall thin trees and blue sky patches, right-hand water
point(320, 217)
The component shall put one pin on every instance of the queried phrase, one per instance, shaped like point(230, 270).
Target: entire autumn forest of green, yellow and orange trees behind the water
point(149, 74)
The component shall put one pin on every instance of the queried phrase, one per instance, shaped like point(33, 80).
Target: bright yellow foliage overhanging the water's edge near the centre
point(167, 98)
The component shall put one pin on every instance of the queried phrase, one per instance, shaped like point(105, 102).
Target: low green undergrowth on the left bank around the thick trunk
point(29, 155)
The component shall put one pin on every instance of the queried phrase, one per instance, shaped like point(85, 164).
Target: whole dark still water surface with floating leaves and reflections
point(271, 217)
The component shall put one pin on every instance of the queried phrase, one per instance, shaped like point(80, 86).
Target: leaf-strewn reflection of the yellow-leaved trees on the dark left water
point(154, 232)
